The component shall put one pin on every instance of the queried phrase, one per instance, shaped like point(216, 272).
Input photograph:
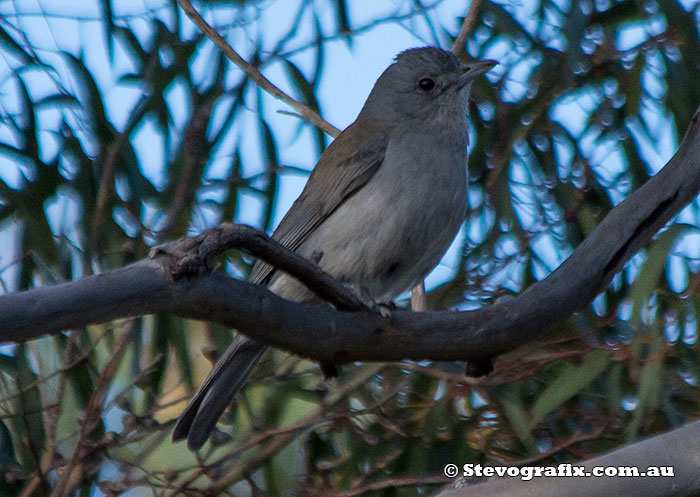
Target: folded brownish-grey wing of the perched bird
point(332, 181)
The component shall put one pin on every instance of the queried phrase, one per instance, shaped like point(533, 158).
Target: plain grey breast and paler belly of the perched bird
point(391, 232)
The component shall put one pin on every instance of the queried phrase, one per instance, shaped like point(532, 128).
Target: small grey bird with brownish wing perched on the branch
point(379, 209)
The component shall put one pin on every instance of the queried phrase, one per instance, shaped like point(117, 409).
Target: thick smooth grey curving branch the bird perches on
point(331, 336)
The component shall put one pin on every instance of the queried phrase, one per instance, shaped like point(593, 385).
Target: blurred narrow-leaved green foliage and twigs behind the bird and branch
point(588, 102)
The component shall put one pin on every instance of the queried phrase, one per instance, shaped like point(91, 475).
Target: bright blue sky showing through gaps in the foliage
point(349, 74)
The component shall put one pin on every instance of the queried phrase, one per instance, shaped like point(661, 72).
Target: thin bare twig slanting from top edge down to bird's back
point(304, 111)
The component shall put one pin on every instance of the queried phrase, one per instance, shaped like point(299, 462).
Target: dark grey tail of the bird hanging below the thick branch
point(217, 392)
